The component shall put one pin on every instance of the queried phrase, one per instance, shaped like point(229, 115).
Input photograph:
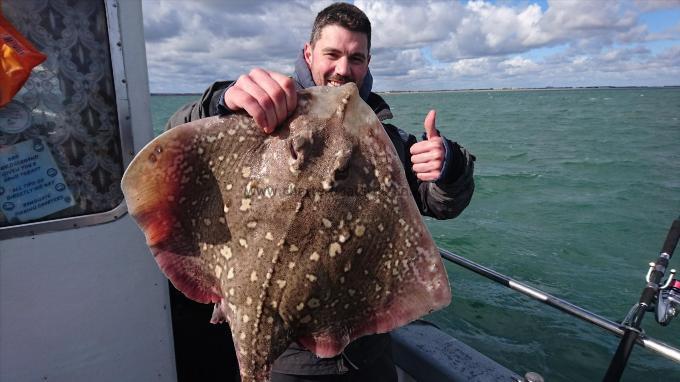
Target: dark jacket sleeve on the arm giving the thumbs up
point(449, 195)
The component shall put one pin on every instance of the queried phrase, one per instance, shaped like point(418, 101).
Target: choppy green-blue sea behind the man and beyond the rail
point(575, 190)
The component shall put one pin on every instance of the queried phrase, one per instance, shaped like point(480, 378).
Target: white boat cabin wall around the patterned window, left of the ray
point(87, 303)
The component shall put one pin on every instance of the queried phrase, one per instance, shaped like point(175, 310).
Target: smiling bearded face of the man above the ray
point(339, 56)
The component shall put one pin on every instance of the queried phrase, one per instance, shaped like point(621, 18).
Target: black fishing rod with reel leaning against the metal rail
point(666, 296)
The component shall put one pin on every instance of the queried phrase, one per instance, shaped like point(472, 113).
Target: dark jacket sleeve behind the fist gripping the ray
point(206, 106)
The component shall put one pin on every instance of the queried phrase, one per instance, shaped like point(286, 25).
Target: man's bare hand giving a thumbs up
point(428, 156)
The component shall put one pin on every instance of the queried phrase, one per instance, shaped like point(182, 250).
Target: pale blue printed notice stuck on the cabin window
point(31, 185)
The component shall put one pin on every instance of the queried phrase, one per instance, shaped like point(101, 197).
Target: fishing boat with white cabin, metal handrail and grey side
point(80, 296)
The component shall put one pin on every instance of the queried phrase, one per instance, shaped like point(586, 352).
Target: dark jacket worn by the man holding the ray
point(444, 198)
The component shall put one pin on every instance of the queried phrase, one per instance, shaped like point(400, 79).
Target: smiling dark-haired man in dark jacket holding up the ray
point(439, 171)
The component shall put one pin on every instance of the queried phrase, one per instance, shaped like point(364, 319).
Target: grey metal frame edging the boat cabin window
point(125, 135)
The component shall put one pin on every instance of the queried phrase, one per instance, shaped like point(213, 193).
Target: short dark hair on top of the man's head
point(345, 15)
